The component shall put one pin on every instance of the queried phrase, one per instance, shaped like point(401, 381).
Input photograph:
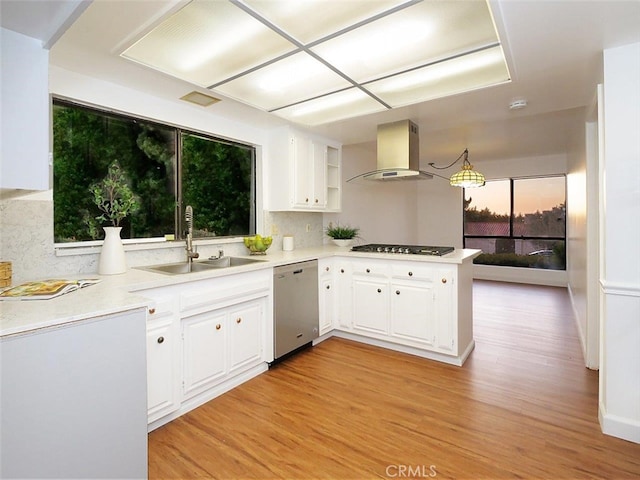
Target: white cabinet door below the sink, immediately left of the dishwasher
point(245, 335)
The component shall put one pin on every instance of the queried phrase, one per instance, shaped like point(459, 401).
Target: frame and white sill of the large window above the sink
point(178, 132)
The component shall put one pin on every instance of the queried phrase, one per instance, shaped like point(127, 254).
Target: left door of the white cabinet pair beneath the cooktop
point(370, 305)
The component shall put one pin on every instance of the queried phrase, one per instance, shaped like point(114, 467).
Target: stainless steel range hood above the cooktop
point(398, 154)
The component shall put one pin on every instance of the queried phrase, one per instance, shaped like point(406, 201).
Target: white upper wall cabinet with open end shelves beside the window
point(303, 173)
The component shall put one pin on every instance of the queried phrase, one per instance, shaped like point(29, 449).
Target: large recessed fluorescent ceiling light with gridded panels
point(300, 58)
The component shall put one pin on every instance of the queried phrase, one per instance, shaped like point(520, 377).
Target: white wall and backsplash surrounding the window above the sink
point(27, 221)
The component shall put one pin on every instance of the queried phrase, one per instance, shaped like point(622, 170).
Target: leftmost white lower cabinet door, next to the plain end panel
point(162, 379)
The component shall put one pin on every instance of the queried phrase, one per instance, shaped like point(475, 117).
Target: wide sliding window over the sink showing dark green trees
point(168, 168)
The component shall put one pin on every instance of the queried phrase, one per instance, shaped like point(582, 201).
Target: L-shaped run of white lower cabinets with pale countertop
point(93, 340)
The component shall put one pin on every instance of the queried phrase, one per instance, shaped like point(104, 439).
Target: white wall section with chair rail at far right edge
point(619, 409)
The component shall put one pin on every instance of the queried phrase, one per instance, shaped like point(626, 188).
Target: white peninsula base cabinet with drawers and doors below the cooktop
point(405, 303)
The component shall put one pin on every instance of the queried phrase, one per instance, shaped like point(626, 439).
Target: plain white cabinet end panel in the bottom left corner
point(74, 400)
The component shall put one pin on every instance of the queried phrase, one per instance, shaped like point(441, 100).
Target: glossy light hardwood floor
point(522, 406)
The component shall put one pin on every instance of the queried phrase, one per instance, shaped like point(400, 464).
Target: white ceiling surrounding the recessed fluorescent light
point(553, 48)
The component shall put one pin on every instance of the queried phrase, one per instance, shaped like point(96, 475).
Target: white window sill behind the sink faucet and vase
point(94, 247)
